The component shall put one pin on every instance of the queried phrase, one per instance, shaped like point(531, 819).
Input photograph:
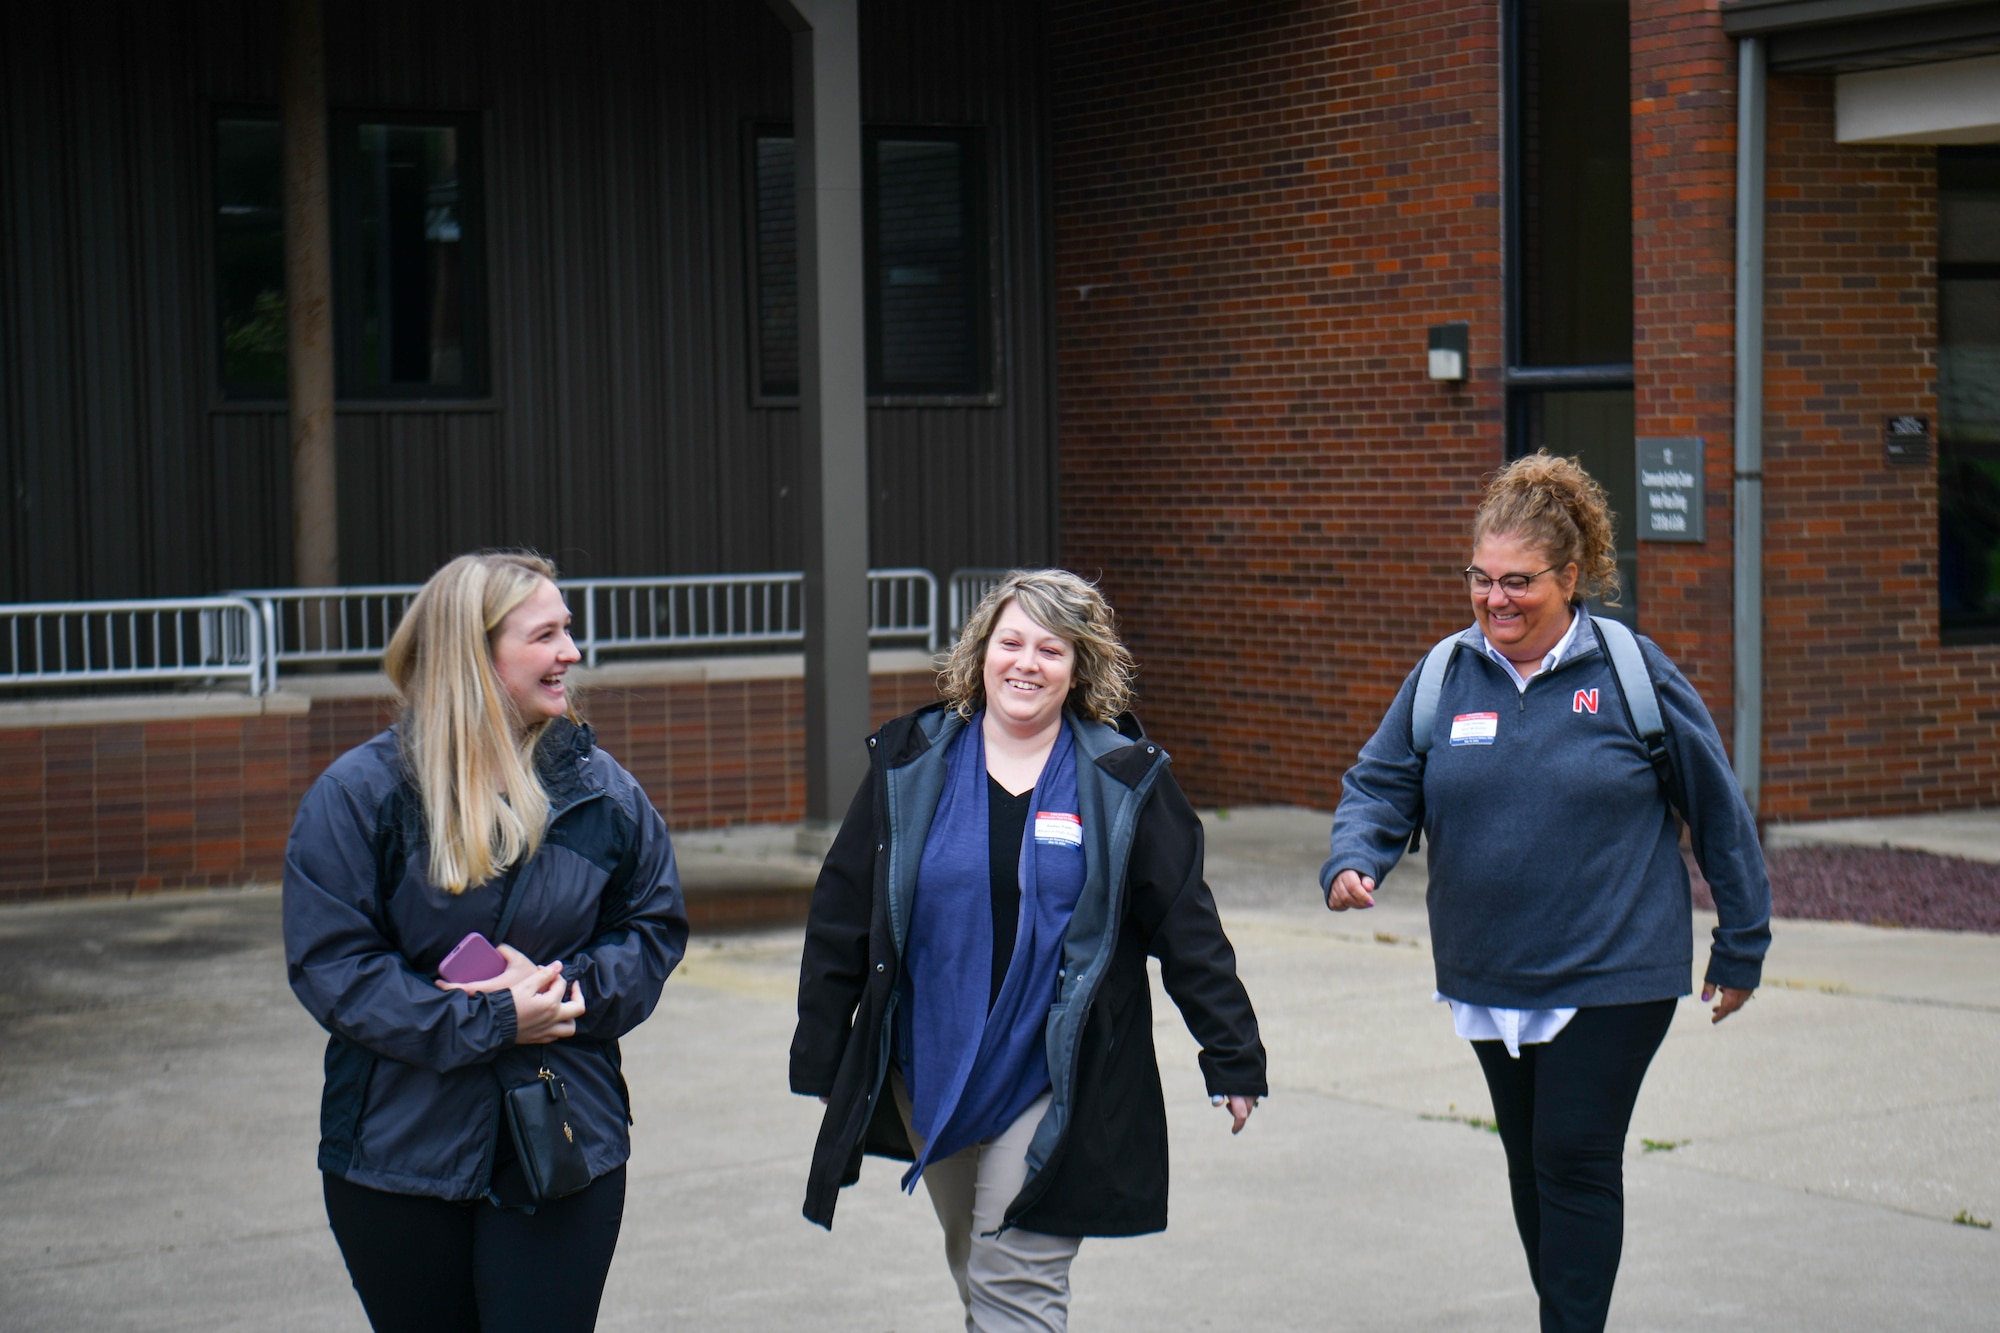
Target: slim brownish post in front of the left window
point(309, 297)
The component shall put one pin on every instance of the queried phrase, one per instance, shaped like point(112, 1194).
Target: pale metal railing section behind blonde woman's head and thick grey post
point(611, 615)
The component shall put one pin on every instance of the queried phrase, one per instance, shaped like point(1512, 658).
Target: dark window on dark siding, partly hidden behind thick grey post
point(925, 265)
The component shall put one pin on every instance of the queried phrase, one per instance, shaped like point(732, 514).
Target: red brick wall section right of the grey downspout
point(1865, 710)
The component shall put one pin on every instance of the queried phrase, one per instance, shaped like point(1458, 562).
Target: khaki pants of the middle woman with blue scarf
point(1011, 1282)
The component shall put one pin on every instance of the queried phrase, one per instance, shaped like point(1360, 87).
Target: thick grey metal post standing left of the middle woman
point(833, 395)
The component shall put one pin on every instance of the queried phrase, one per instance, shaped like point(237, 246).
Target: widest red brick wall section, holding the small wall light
point(1259, 211)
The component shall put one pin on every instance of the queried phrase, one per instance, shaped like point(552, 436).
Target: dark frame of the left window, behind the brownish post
point(345, 241)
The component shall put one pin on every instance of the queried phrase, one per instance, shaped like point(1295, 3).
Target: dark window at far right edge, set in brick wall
point(1969, 395)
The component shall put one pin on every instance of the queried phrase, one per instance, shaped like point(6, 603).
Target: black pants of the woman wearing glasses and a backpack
point(1563, 1112)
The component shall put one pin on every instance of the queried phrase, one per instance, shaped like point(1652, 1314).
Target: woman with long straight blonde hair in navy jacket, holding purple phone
point(487, 810)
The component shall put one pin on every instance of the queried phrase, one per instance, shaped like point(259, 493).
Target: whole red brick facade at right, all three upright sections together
point(1261, 207)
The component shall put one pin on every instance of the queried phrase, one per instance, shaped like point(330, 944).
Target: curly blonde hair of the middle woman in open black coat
point(1069, 607)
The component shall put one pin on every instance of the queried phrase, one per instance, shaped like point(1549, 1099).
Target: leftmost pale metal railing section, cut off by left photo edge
point(157, 639)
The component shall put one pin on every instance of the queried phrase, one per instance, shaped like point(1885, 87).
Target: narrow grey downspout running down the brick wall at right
point(1749, 627)
